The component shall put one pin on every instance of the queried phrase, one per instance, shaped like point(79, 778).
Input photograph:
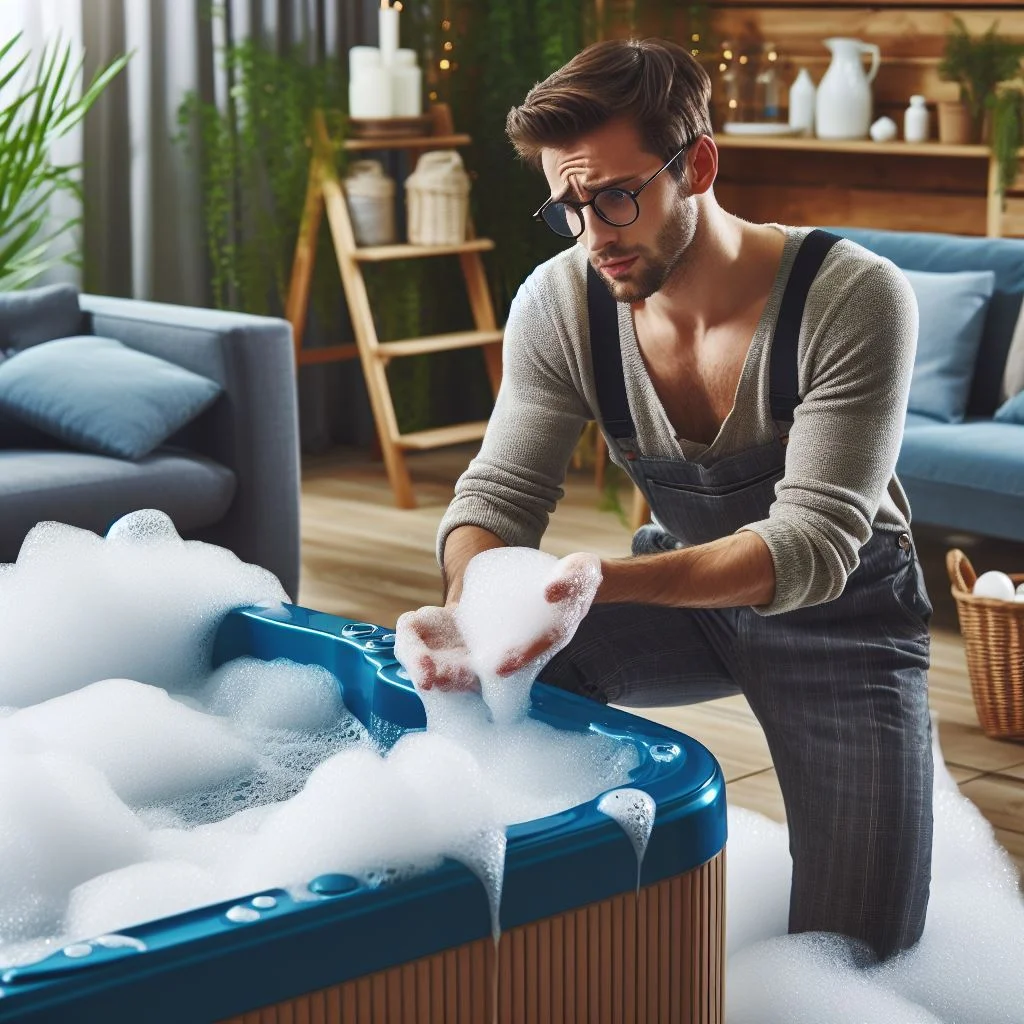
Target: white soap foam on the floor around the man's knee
point(967, 969)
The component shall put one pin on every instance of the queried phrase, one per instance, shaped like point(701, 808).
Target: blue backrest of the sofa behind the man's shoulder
point(947, 253)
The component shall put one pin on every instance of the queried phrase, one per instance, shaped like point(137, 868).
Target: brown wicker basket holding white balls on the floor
point(994, 636)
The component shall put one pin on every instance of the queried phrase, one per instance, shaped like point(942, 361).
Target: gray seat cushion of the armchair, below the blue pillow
point(93, 491)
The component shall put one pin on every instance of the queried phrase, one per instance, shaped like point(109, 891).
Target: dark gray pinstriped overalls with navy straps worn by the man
point(840, 689)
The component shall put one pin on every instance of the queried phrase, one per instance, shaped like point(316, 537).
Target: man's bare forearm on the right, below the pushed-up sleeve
point(732, 572)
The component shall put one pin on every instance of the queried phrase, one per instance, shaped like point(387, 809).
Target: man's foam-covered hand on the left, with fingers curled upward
point(430, 646)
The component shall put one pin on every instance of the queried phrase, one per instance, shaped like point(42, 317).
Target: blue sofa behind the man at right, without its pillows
point(965, 477)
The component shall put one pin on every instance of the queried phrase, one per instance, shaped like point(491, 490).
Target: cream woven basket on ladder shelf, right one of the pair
point(438, 197)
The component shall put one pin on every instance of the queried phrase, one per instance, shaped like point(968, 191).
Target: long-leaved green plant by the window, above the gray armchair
point(48, 107)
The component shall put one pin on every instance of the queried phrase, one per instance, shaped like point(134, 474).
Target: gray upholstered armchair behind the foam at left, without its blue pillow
point(230, 478)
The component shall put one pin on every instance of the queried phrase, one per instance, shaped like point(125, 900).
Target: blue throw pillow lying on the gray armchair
point(101, 396)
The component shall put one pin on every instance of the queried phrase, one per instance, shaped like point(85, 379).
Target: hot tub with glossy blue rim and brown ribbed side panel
point(579, 941)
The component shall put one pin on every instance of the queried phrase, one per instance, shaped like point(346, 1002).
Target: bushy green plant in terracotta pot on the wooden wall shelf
point(978, 66)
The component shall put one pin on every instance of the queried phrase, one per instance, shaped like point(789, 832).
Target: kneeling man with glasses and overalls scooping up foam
point(753, 380)
